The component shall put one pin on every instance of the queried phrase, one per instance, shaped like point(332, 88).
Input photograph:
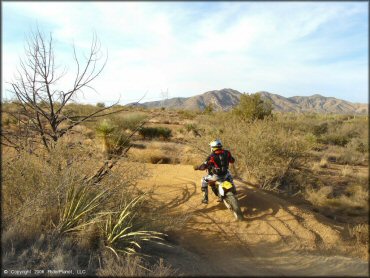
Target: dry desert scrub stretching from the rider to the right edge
point(295, 154)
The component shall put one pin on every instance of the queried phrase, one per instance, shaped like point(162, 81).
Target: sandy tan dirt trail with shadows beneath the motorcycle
point(275, 239)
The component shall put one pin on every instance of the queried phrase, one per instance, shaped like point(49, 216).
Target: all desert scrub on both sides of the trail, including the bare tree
point(70, 171)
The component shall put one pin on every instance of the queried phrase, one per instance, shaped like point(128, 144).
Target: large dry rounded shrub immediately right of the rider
point(264, 150)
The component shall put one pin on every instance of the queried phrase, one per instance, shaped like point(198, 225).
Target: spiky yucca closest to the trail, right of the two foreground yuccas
point(120, 234)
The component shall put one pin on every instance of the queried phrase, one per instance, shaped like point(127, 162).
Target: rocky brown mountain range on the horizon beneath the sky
point(226, 99)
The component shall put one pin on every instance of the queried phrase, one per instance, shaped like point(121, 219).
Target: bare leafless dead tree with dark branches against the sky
point(41, 103)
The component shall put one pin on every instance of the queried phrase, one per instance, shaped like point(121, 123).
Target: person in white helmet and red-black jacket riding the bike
point(217, 164)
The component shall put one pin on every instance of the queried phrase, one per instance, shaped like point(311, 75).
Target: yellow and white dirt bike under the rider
point(226, 192)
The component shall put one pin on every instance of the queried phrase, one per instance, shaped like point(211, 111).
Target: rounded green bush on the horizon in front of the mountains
point(252, 107)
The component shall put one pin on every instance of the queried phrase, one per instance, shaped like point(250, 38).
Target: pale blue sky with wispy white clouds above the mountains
point(188, 48)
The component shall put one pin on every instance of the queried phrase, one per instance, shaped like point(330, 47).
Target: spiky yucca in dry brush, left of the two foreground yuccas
point(80, 202)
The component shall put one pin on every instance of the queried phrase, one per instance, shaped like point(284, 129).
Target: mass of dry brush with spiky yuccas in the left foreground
point(53, 218)
